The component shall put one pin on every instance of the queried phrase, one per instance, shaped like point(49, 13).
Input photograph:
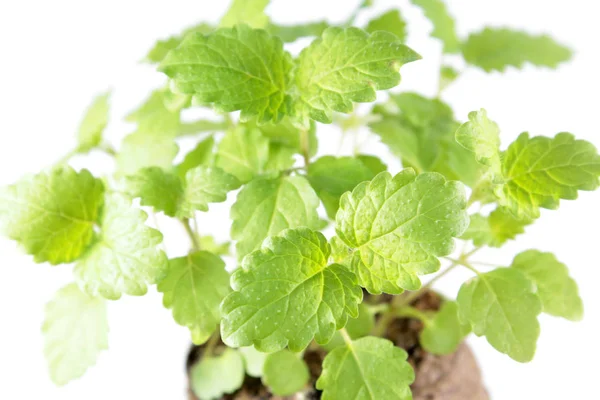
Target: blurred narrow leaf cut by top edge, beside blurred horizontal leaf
point(443, 23)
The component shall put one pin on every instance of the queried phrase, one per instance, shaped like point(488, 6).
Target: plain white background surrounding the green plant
point(56, 55)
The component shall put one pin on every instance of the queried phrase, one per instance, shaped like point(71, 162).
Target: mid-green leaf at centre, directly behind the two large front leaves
point(265, 207)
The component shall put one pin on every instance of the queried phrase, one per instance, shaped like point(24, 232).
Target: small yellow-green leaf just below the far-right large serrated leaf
point(496, 229)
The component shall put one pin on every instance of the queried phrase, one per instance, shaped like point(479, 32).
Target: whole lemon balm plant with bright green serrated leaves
point(307, 313)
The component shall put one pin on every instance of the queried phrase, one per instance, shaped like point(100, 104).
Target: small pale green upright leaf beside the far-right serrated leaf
point(481, 136)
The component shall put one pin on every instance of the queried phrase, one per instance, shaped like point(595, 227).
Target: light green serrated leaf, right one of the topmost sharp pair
point(346, 66)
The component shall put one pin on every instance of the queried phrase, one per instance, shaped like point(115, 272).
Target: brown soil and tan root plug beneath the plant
point(452, 377)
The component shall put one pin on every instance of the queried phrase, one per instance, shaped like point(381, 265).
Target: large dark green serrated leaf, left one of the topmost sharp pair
point(237, 68)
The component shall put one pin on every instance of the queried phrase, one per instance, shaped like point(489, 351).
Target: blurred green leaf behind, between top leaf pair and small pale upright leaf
point(421, 132)
